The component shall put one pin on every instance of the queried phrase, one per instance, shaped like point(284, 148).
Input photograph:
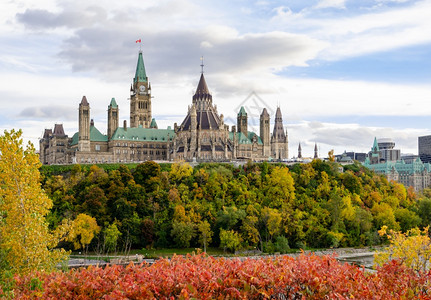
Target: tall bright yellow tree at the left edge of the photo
point(25, 238)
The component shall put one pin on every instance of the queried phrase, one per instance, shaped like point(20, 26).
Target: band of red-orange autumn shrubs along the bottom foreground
point(202, 277)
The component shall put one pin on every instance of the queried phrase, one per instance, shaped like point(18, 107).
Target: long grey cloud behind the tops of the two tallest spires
point(176, 52)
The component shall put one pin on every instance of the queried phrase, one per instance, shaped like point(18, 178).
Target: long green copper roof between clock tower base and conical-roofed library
point(143, 134)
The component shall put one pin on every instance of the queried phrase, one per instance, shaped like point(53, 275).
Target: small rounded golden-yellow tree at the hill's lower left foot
point(83, 230)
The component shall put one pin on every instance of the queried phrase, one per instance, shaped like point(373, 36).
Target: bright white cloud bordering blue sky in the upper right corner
point(363, 31)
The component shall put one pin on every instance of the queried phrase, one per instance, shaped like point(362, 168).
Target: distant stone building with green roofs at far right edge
point(414, 173)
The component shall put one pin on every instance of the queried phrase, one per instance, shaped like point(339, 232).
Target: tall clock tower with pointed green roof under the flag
point(140, 97)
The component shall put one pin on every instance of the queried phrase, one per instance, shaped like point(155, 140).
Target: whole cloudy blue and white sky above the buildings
point(341, 71)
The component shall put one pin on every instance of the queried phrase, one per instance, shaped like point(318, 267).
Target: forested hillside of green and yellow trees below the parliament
point(264, 206)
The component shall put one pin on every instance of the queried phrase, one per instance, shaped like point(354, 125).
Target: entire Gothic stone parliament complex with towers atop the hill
point(202, 135)
